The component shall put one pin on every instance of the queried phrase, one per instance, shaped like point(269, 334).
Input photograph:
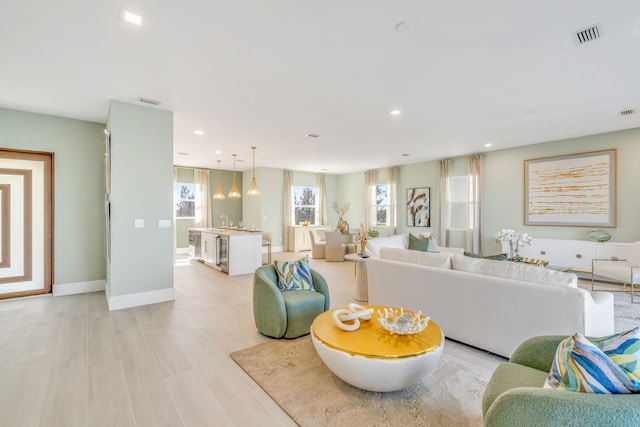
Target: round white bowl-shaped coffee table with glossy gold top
point(371, 358)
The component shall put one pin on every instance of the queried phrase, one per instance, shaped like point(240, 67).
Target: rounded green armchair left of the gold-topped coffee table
point(286, 314)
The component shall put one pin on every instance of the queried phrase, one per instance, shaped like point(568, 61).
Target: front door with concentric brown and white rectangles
point(26, 223)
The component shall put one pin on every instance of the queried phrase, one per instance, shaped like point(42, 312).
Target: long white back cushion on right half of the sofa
point(514, 270)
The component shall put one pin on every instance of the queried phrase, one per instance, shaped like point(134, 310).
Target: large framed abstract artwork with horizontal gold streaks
point(577, 190)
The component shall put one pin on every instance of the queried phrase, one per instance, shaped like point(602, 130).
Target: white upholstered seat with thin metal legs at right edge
point(626, 271)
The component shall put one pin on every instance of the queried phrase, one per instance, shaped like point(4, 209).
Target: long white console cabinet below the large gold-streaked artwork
point(573, 254)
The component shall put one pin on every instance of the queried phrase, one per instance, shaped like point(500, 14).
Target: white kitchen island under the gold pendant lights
point(231, 251)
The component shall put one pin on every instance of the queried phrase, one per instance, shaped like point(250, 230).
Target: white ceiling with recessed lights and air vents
point(266, 73)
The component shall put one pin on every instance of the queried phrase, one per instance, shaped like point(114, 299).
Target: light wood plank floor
point(68, 361)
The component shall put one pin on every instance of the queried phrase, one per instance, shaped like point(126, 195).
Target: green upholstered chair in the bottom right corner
point(515, 397)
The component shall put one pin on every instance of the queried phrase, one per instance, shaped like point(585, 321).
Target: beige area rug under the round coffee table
point(291, 372)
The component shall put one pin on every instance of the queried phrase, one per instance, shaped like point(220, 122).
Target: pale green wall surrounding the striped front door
point(79, 219)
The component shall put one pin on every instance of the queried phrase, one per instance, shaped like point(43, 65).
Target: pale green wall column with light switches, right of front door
point(141, 188)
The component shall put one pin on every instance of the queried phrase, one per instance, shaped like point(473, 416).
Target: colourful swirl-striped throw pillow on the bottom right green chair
point(601, 365)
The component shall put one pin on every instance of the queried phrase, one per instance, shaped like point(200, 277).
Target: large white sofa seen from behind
point(493, 305)
